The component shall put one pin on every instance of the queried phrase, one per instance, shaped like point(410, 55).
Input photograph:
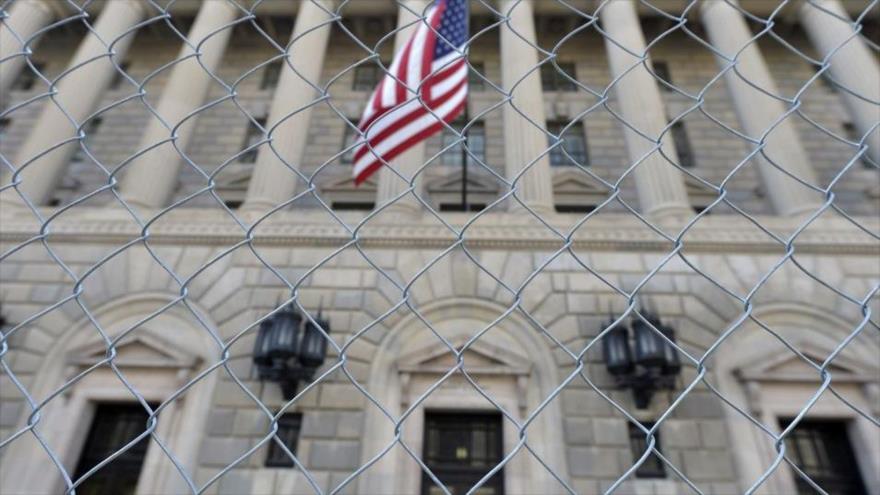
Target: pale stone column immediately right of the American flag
point(523, 140)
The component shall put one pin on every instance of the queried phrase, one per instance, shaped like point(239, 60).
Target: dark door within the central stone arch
point(460, 448)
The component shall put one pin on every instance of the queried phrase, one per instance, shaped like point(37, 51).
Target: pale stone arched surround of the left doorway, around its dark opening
point(158, 359)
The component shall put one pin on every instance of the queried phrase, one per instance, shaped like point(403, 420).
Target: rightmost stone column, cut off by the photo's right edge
point(852, 65)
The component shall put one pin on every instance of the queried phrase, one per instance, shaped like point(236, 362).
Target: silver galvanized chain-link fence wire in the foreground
point(247, 17)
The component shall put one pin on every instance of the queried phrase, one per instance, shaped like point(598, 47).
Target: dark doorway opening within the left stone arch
point(114, 426)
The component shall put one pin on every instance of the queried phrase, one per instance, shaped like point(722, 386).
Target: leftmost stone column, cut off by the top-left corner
point(26, 17)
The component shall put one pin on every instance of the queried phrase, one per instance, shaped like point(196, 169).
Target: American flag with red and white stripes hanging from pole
point(433, 77)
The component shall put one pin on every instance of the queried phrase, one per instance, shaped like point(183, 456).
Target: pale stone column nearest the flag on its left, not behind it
point(273, 182)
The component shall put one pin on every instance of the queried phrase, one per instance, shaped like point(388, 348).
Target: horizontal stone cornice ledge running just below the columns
point(611, 232)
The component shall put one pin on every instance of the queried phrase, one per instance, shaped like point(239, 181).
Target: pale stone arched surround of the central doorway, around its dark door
point(512, 365)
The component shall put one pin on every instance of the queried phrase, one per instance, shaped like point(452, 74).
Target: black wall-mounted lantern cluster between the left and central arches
point(289, 348)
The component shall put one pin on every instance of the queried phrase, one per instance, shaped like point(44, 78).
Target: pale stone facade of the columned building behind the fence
point(183, 295)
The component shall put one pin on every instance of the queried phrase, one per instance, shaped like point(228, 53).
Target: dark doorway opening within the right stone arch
point(821, 449)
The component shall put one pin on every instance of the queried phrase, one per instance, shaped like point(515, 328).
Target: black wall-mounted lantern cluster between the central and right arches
point(640, 359)
